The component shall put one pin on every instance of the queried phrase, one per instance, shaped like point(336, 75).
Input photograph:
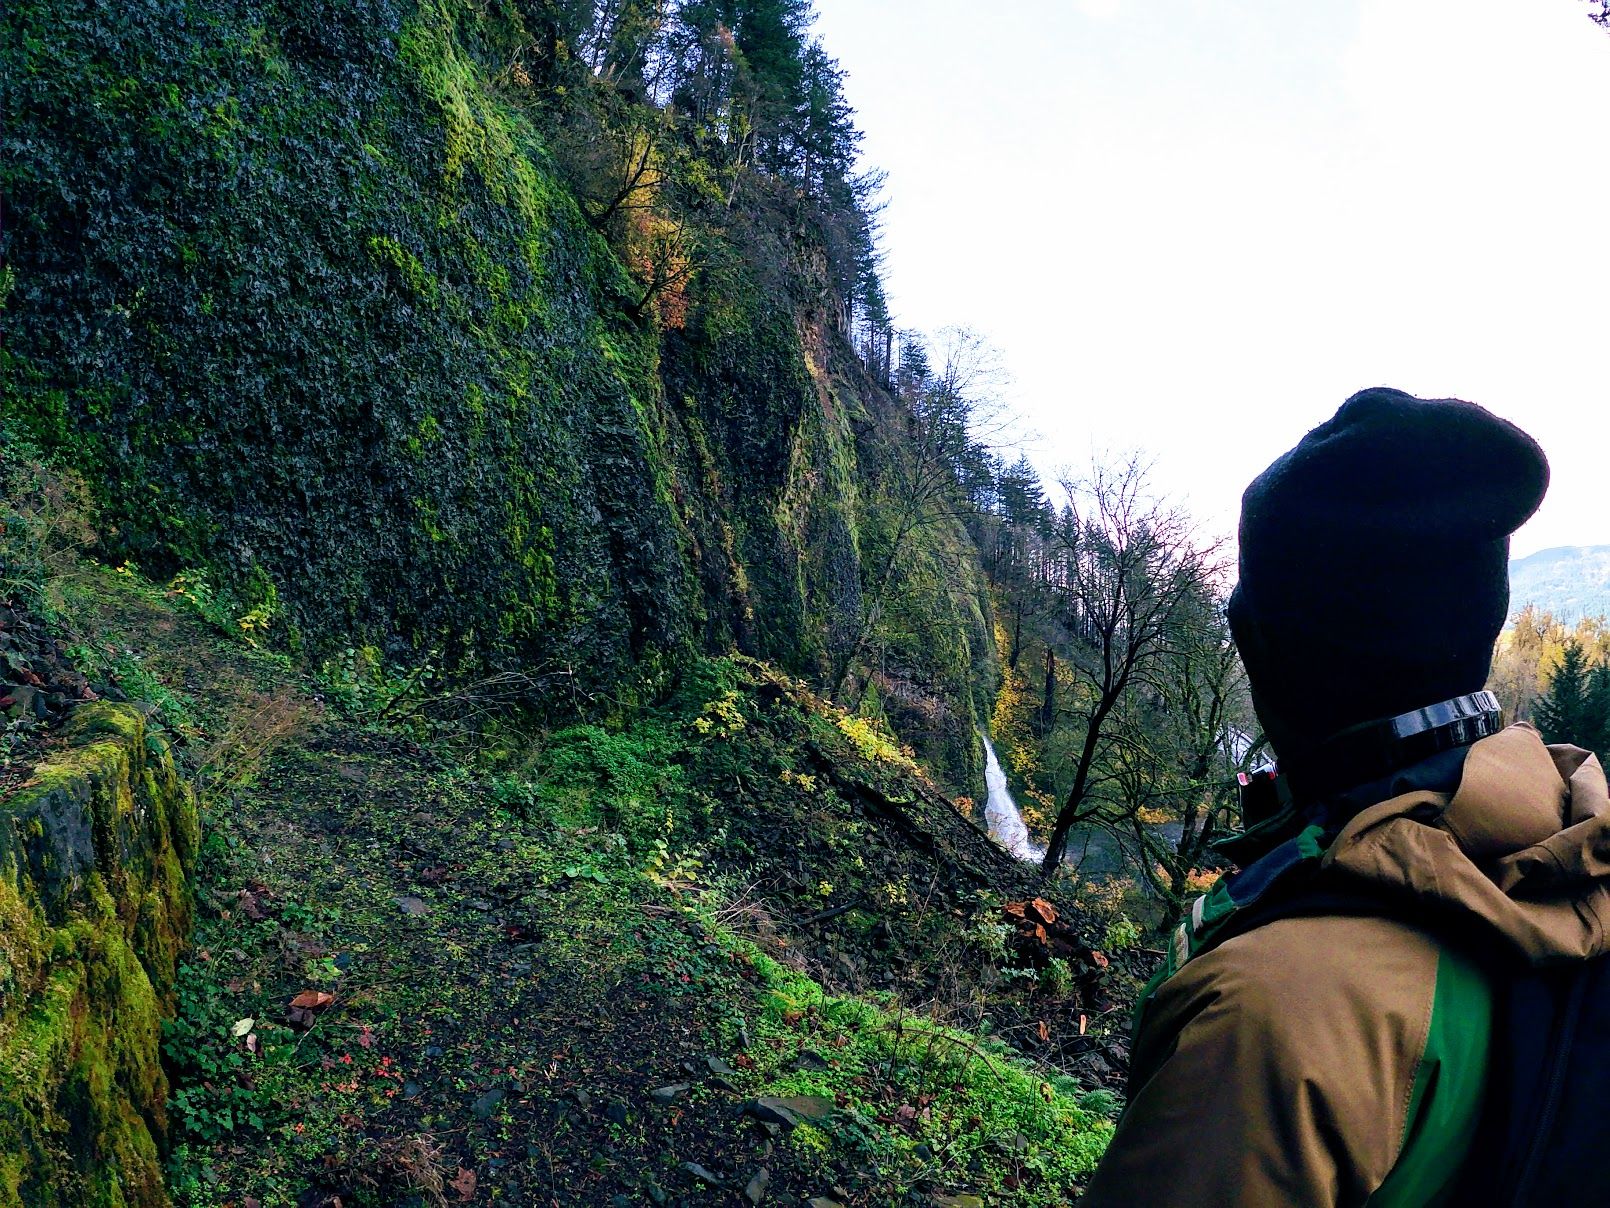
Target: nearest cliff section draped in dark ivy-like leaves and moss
point(294, 284)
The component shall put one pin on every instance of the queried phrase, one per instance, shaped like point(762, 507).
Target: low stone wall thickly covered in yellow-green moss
point(94, 911)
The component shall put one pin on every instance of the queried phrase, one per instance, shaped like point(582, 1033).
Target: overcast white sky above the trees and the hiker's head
point(1197, 228)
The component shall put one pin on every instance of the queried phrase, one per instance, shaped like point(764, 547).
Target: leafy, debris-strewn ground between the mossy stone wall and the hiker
point(732, 949)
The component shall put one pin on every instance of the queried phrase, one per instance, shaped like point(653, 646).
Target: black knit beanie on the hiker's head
point(1376, 563)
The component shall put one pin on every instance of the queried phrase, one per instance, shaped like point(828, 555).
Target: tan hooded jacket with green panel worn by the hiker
point(1340, 1061)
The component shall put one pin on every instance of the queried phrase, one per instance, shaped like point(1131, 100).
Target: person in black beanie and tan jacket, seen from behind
point(1329, 1020)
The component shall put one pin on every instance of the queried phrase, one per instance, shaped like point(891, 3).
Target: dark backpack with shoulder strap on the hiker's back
point(1545, 1135)
